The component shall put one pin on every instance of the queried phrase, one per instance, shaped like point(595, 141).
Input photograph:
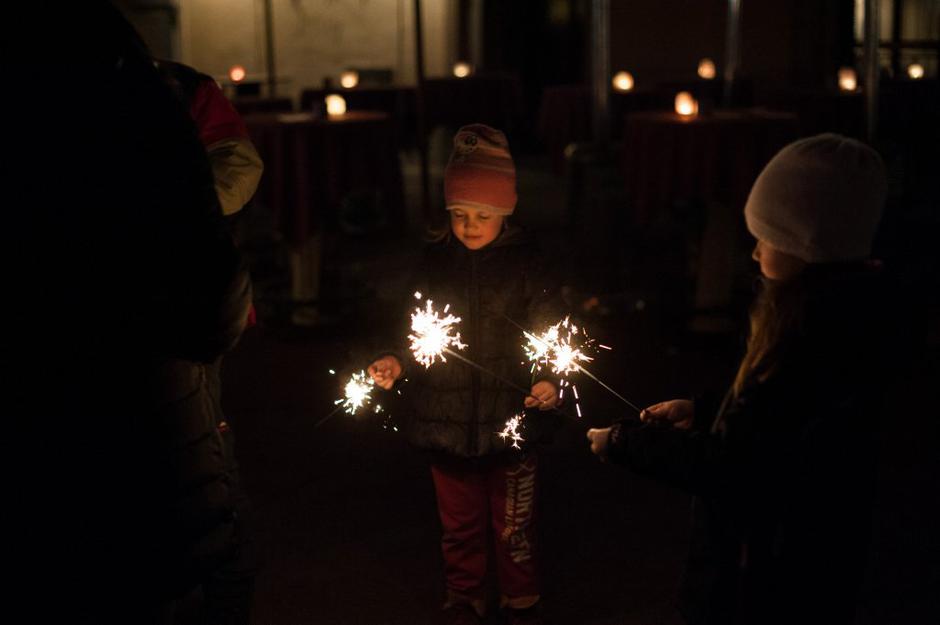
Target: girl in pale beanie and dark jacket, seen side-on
point(781, 467)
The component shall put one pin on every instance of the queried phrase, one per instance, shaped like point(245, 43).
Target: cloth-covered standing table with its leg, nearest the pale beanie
point(713, 159)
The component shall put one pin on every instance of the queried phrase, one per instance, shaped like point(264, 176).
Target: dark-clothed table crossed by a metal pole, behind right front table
point(565, 113)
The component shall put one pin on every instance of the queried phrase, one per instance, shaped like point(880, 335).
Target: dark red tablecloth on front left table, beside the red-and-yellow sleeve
point(311, 164)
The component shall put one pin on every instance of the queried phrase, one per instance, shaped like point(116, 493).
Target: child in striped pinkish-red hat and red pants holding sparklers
point(491, 275)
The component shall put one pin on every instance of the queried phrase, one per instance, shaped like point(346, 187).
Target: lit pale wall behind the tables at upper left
point(316, 38)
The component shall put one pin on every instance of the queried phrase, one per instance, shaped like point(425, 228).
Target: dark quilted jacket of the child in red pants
point(455, 408)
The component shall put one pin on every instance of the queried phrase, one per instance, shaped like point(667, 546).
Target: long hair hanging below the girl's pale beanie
point(776, 319)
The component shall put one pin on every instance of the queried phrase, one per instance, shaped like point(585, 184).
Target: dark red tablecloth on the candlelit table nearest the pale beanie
point(714, 157)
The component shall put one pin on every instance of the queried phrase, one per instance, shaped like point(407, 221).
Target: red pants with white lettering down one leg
point(472, 497)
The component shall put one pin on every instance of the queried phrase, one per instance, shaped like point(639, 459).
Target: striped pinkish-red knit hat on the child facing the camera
point(480, 173)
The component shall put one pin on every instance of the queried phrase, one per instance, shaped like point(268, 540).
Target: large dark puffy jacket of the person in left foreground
point(127, 286)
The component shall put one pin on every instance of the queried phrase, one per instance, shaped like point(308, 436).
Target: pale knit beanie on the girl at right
point(819, 199)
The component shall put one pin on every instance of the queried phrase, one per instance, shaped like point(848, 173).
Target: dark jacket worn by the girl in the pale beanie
point(782, 474)
